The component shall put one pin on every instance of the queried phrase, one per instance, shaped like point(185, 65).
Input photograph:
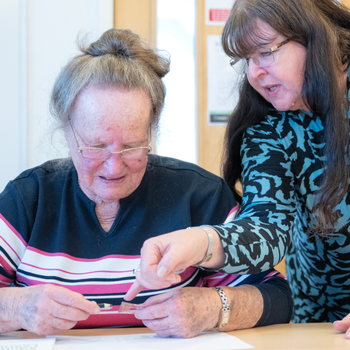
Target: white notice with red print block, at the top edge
point(217, 12)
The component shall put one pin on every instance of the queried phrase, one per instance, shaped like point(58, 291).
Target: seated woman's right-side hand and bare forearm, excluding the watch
point(186, 312)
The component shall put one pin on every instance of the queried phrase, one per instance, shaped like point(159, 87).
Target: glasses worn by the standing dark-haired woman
point(264, 59)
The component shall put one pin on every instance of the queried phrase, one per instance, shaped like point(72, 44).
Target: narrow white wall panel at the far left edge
point(12, 90)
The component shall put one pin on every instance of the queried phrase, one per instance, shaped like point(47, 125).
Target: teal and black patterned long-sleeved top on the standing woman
point(282, 159)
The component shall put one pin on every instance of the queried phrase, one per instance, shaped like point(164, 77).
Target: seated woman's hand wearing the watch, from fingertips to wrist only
point(184, 312)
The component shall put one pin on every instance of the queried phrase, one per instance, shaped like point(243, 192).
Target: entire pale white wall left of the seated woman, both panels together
point(38, 38)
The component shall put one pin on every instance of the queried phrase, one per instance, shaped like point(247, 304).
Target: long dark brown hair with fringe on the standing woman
point(323, 28)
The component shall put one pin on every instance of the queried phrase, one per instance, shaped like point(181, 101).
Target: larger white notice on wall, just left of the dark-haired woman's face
point(222, 83)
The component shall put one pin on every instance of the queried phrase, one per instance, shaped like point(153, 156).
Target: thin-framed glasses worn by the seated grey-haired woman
point(102, 154)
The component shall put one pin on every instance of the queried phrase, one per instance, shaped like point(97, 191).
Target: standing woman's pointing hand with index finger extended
point(163, 255)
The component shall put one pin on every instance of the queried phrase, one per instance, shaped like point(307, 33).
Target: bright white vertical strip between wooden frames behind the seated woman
point(176, 34)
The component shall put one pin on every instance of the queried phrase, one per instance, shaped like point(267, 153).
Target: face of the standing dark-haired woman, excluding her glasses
point(281, 82)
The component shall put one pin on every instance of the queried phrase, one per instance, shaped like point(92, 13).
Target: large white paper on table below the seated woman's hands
point(150, 341)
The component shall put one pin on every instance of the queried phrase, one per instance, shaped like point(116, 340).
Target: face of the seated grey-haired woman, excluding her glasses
point(113, 119)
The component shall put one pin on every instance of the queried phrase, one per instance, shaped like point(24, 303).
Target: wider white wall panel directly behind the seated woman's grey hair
point(53, 27)
